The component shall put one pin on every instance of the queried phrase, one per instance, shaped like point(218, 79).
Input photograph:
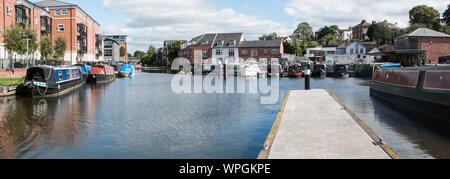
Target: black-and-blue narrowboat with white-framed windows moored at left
point(50, 81)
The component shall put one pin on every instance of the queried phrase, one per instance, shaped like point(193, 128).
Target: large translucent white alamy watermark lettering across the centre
point(214, 81)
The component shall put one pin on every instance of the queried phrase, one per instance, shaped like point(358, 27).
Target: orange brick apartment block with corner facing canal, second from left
point(79, 29)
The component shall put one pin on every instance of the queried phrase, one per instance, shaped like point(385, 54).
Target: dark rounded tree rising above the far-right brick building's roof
point(423, 14)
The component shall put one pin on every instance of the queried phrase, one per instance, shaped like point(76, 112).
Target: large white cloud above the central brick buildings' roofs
point(153, 21)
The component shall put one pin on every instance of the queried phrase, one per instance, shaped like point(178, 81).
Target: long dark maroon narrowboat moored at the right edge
point(423, 89)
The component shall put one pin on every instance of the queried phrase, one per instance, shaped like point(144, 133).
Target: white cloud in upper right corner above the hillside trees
point(346, 13)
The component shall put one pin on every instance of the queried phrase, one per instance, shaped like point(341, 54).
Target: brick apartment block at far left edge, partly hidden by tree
point(25, 13)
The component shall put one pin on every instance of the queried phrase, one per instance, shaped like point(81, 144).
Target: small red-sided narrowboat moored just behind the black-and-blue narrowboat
point(102, 74)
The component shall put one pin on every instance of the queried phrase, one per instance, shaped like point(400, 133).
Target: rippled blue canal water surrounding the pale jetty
point(141, 117)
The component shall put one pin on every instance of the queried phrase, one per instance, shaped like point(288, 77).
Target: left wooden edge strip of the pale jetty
point(265, 151)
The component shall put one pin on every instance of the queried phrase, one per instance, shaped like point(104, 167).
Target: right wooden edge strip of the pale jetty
point(366, 128)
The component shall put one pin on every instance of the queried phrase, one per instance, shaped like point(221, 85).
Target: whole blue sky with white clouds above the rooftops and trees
point(150, 22)
